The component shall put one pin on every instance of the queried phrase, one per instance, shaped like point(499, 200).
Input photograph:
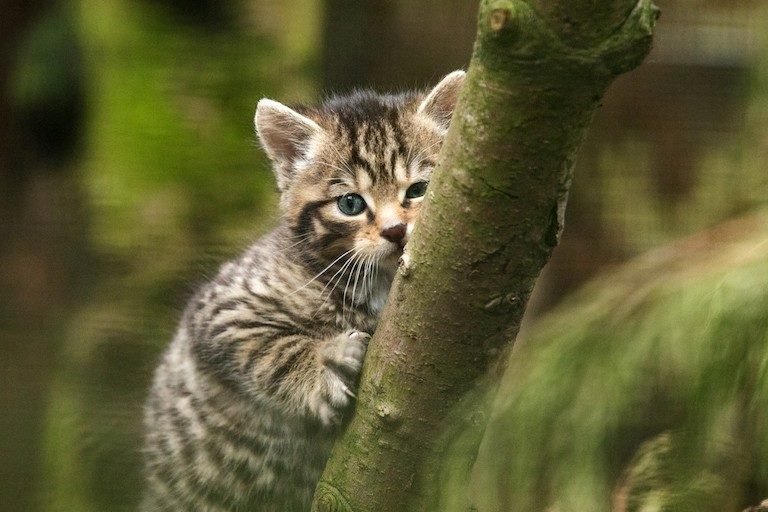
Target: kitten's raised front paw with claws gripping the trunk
point(343, 359)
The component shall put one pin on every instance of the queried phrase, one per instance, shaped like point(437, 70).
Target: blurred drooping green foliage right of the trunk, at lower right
point(647, 390)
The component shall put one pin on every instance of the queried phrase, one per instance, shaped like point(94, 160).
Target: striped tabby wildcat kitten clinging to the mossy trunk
point(249, 397)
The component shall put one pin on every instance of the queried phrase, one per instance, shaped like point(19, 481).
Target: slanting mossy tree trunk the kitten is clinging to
point(493, 215)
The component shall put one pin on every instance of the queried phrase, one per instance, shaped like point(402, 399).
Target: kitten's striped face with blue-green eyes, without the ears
point(361, 188)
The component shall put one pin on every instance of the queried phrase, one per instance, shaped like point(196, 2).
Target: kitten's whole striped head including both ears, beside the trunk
point(352, 172)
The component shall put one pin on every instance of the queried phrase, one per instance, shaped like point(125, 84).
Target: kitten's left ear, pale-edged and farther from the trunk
point(285, 135)
